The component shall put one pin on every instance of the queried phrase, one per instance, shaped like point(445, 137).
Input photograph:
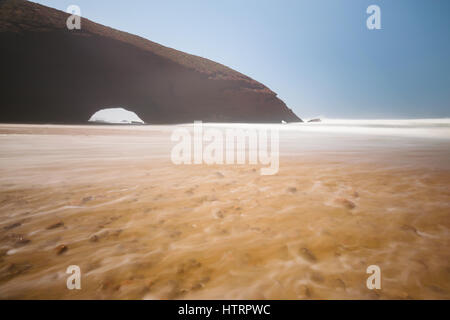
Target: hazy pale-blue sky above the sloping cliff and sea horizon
point(318, 55)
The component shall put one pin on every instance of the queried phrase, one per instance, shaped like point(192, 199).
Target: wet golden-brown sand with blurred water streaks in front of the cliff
point(109, 200)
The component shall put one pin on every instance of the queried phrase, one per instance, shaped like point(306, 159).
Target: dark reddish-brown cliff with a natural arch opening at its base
point(53, 75)
